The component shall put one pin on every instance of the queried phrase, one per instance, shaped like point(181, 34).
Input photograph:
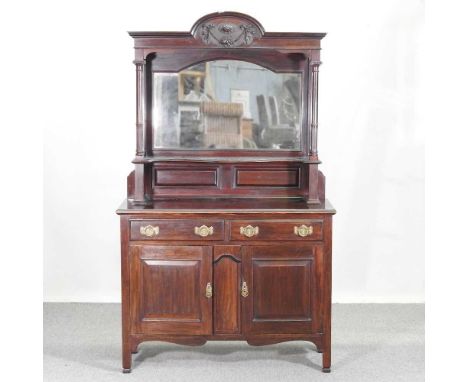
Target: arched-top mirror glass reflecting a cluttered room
point(227, 104)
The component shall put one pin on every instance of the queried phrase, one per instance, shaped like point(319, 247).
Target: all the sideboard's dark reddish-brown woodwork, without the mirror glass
point(164, 276)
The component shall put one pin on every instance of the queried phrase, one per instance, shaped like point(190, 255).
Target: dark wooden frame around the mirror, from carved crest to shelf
point(218, 36)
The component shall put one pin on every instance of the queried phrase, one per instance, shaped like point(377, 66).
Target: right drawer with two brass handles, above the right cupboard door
point(307, 229)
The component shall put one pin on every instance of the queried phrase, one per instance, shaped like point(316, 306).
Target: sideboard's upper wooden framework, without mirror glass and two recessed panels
point(226, 35)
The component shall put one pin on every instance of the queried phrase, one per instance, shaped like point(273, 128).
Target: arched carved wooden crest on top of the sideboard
point(227, 30)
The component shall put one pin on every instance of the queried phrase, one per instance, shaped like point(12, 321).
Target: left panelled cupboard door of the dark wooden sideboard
point(169, 290)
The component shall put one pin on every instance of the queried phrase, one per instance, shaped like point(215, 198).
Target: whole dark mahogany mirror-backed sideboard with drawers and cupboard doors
point(226, 233)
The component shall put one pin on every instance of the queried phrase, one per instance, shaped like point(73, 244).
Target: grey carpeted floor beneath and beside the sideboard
point(370, 342)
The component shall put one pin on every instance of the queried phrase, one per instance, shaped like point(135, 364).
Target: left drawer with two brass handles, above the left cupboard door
point(172, 229)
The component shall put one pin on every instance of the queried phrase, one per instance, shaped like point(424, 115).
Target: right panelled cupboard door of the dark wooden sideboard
point(278, 289)
